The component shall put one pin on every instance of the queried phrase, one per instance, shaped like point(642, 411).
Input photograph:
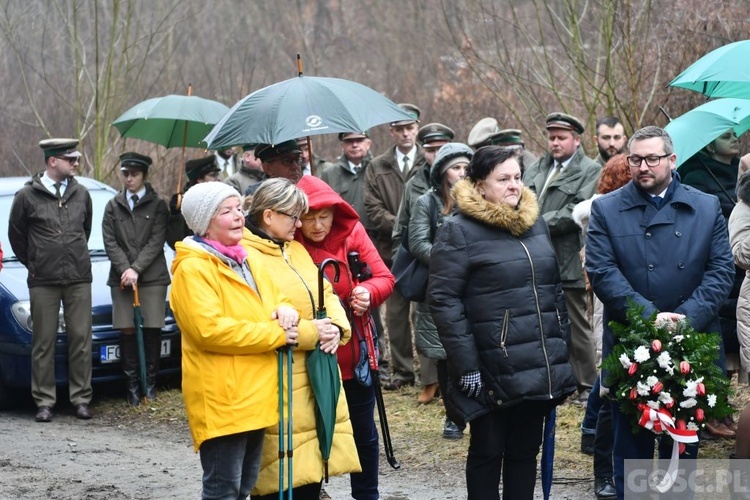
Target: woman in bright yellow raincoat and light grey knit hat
point(233, 317)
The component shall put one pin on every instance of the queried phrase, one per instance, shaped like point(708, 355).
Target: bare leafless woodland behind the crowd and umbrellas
point(71, 67)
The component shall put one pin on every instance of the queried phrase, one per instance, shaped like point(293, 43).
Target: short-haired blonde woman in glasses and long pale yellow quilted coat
point(272, 221)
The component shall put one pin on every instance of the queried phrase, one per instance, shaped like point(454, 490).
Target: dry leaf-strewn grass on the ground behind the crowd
point(416, 431)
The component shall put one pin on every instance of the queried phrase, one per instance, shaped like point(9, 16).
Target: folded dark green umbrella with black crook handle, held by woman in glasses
point(323, 370)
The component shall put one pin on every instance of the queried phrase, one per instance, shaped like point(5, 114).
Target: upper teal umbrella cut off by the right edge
point(723, 72)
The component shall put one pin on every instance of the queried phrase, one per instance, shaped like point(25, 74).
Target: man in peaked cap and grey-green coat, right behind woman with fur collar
point(561, 179)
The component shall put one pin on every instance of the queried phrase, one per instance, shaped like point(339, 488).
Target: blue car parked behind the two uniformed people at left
point(15, 310)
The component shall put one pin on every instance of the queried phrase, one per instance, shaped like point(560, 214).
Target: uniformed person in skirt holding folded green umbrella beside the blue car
point(134, 229)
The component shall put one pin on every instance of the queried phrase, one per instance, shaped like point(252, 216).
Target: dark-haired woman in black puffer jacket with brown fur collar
point(496, 298)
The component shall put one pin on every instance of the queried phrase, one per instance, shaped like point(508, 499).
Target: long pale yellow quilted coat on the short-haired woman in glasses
point(294, 272)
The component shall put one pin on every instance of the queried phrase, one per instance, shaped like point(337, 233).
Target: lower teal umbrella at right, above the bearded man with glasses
point(696, 128)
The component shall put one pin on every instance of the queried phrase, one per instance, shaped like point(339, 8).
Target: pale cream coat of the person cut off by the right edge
point(739, 238)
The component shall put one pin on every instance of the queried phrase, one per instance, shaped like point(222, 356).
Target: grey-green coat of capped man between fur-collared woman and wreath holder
point(574, 185)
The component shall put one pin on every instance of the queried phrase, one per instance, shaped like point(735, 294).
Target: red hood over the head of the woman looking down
point(321, 195)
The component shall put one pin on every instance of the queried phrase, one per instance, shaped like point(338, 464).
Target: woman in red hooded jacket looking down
point(331, 229)
